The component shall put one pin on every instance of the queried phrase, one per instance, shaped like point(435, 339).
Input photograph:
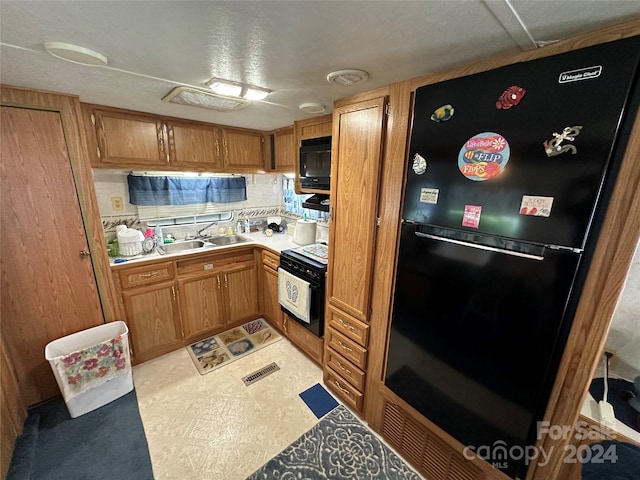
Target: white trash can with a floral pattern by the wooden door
point(92, 367)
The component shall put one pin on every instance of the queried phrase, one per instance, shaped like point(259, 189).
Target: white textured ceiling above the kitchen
point(286, 46)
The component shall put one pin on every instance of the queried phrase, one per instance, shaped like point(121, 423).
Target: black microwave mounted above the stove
point(315, 163)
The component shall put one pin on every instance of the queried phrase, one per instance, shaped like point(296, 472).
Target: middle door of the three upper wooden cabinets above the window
point(194, 146)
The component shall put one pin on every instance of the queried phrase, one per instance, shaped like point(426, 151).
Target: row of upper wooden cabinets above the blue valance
point(126, 139)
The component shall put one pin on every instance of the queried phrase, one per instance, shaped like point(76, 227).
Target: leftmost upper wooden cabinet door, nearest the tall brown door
point(129, 140)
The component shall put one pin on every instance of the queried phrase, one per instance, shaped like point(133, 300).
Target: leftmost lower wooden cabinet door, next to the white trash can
point(154, 320)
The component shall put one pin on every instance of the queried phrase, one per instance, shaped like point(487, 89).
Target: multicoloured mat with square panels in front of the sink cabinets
point(222, 349)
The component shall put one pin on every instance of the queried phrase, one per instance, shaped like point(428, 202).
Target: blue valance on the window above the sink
point(150, 191)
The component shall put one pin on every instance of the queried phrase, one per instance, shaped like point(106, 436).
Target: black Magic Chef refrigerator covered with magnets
point(507, 180)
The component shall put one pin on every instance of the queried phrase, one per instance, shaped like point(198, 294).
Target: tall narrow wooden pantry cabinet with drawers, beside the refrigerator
point(357, 141)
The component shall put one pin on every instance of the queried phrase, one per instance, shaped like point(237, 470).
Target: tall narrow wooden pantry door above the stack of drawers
point(357, 136)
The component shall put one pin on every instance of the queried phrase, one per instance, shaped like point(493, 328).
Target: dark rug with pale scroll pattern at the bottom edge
point(339, 447)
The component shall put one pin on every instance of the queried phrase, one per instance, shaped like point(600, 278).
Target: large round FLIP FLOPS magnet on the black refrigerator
point(483, 156)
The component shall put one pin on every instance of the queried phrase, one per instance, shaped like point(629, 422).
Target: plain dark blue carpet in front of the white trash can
point(107, 443)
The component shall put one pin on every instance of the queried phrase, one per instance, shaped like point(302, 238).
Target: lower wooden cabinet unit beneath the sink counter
point(172, 304)
